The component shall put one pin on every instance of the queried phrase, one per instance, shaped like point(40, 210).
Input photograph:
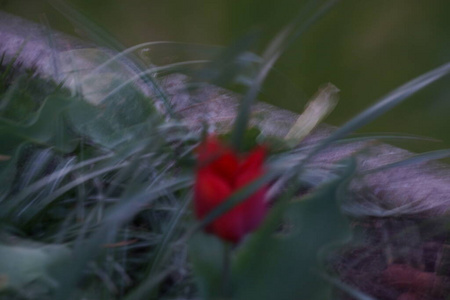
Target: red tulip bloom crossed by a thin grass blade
point(220, 173)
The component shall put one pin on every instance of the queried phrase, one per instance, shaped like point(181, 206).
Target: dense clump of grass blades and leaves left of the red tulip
point(98, 185)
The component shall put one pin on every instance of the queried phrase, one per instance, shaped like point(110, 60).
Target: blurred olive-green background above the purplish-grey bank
point(366, 48)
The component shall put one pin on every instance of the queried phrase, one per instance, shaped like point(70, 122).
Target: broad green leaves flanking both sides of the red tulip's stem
point(279, 263)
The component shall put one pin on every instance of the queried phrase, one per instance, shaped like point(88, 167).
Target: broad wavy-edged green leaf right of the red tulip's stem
point(274, 267)
